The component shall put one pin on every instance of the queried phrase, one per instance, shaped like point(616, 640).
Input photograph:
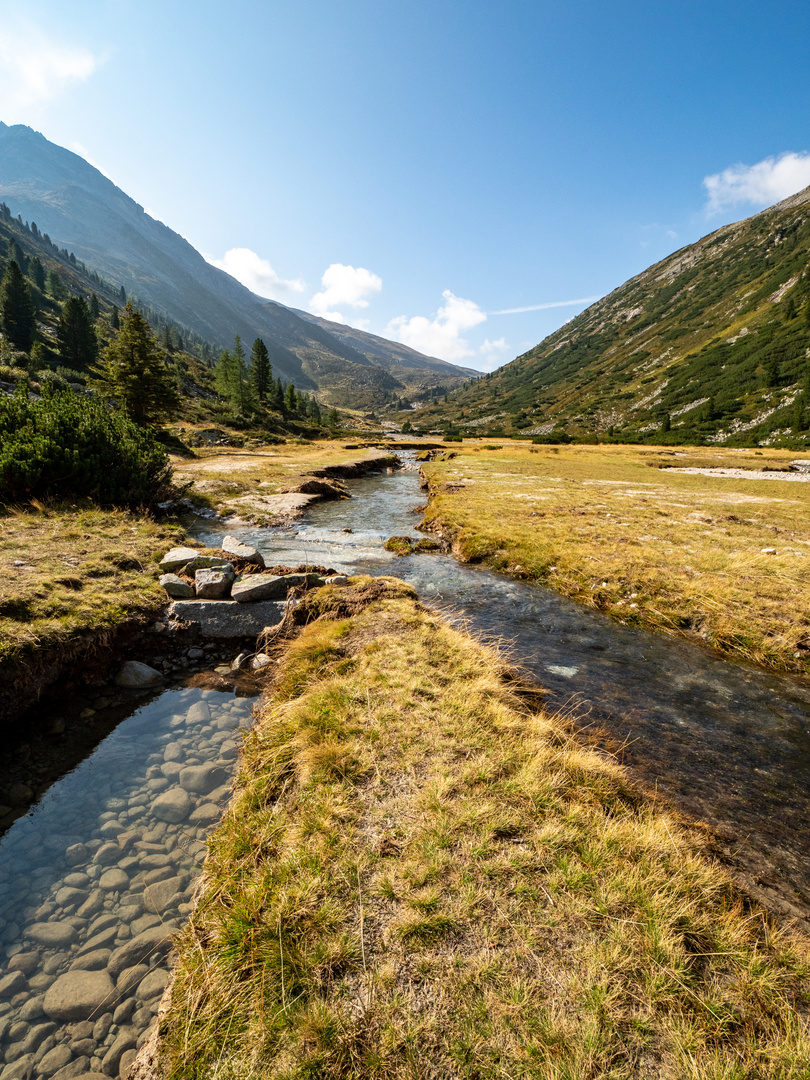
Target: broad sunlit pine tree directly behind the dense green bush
point(133, 371)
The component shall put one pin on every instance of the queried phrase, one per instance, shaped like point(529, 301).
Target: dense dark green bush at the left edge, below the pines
point(67, 447)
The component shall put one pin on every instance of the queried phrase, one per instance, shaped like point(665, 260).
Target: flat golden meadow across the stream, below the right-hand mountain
point(672, 551)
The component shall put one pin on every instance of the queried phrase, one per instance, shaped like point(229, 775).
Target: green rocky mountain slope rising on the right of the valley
point(713, 344)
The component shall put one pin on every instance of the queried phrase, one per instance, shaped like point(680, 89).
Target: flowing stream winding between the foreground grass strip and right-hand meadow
point(727, 744)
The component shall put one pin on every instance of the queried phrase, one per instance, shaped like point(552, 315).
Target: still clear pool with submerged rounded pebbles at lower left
point(92, 888)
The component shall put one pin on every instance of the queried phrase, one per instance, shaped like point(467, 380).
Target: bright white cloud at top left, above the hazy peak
point(35, 71)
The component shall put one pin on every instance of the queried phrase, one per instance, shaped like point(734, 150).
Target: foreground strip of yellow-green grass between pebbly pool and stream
point(421, 876)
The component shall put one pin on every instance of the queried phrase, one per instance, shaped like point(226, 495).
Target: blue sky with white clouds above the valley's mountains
point(425, 169)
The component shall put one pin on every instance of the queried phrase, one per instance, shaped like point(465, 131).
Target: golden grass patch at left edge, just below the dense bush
point(83, 570)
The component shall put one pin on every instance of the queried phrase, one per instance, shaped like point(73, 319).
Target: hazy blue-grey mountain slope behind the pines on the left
point(85, 212)
